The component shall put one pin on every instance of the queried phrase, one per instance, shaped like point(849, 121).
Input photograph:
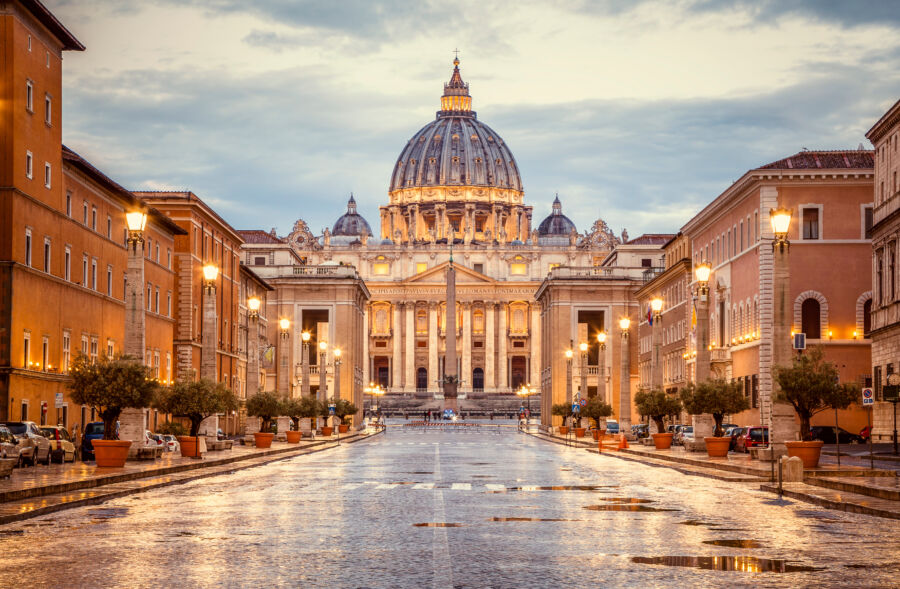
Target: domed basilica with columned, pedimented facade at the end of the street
point(455, 190)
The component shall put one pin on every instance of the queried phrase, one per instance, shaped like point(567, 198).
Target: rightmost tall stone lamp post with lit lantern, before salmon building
point(780, 417)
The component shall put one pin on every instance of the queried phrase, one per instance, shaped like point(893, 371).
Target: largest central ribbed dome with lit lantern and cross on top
point(456, 149)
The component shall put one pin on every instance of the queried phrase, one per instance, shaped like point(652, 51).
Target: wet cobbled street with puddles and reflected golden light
point(473, 508)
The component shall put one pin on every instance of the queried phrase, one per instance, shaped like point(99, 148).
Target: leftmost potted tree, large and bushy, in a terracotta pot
point(110, 385)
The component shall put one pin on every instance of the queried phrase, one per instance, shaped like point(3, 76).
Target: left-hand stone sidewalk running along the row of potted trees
point(34, 491)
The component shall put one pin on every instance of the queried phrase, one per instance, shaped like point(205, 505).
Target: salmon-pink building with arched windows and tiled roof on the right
point(830, 196)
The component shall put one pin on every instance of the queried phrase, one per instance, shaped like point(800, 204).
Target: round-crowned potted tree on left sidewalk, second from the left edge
point(194, 400)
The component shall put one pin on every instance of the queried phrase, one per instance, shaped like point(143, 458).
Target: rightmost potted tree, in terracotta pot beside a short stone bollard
point(811, 385)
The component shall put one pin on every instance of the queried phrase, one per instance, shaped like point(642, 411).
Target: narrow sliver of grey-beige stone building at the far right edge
point(885, 304)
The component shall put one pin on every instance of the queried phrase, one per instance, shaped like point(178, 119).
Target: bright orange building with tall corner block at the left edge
point(62, 236)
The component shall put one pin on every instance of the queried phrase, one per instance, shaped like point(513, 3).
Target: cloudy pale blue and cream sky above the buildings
point(639, 112)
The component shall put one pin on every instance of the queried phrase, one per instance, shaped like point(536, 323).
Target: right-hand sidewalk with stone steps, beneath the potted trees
point(853, 486)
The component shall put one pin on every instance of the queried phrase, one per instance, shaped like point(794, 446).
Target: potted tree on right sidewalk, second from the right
point(717, 398)
